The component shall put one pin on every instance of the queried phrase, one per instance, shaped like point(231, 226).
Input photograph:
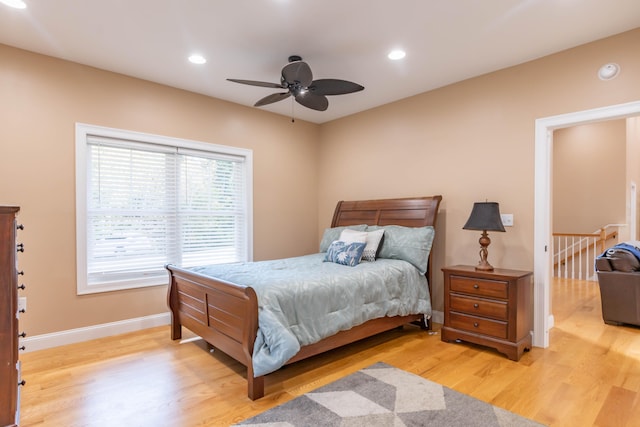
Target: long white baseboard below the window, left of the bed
point(72, 336)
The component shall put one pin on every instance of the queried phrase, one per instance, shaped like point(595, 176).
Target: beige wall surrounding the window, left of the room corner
point(41, 100)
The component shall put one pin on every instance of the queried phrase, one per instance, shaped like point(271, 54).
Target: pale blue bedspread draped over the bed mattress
point(303, 299)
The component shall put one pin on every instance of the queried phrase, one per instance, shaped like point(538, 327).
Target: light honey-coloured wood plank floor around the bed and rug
point(590, 375)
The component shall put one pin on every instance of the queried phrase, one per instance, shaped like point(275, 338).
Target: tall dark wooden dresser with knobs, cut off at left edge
point(10, 380)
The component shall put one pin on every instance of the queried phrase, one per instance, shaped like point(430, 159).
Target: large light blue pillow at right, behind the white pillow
point(411, 244)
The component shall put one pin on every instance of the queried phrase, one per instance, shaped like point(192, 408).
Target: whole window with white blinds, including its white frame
point(143, 201)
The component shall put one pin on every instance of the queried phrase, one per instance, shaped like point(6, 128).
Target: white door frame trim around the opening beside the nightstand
point(544, 127)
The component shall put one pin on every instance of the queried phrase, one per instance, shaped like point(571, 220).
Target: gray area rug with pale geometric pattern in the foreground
point(382, 395)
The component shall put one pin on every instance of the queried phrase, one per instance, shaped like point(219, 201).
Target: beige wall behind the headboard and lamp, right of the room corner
point(472, 141)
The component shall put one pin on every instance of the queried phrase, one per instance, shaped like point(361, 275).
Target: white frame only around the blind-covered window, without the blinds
point(83, 132)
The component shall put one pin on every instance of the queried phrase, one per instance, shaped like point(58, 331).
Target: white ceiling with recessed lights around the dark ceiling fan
point(446, 41)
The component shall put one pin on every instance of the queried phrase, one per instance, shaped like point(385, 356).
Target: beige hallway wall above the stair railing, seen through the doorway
point(589, 177)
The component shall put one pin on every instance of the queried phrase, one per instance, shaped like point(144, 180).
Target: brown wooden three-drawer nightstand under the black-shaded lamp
point(493, 308)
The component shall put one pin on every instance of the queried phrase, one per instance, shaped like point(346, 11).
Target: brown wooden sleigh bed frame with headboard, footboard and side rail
point(226, 314)
